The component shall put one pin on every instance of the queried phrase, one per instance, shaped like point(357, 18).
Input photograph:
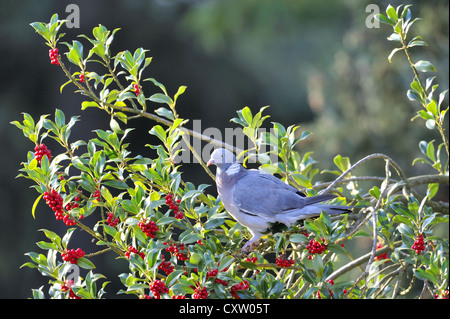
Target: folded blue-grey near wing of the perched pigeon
point(260, 194)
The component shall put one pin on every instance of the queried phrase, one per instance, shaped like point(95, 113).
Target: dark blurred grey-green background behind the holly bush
point(314, 62)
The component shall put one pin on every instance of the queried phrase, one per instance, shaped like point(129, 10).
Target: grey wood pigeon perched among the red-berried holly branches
point(259, 200)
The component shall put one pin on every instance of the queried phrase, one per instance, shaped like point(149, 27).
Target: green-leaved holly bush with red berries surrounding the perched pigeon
point(177, 239)
